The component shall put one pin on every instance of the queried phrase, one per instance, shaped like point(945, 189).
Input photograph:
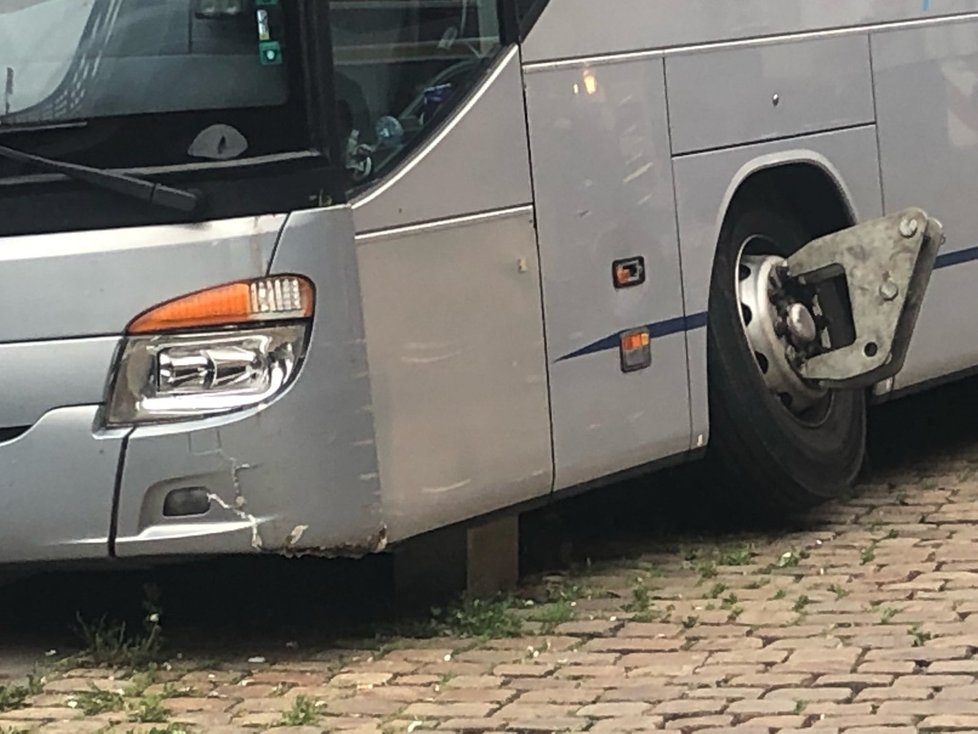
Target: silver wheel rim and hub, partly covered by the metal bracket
point(779, 328)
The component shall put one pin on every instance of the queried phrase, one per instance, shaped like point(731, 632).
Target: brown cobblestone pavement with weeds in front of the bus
point(864, 621)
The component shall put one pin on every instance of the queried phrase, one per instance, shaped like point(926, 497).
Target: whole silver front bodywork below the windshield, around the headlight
point(295, 475)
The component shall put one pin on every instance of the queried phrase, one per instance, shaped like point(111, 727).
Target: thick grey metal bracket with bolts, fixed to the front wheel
point(887, 264)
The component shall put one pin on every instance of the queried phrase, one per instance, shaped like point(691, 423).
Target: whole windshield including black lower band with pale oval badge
point(148, 78)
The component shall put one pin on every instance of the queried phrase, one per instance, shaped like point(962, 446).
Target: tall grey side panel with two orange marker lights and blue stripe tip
point(603, 186)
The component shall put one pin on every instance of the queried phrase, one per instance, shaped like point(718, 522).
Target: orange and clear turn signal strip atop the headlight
point(276, 298)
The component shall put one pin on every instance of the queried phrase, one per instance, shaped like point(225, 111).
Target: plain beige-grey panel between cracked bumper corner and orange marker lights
point(457, 368)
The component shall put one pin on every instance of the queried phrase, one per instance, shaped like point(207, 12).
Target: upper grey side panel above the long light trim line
point(579, 28)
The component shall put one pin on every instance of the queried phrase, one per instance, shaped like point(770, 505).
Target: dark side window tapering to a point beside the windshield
point(400, 66)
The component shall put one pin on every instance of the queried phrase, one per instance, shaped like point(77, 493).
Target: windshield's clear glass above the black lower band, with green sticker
point(63, 60)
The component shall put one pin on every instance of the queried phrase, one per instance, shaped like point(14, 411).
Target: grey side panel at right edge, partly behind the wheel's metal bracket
point(927, 97)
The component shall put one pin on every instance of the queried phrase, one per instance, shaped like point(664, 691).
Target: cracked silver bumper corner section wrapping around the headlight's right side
point(298, 475)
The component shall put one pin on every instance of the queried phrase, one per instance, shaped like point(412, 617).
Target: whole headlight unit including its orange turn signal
point(172, 369)
